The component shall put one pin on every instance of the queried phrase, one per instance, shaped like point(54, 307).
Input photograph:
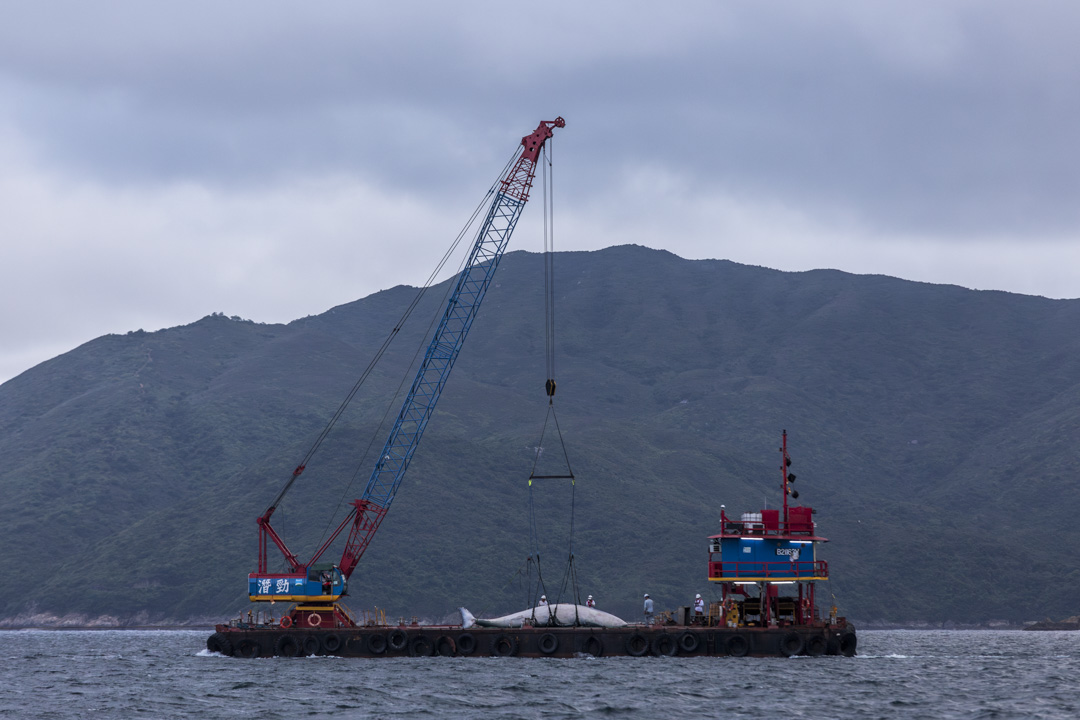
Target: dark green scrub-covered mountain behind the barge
point(933, 428)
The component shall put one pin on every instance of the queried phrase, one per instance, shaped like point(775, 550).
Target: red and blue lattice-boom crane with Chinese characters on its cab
point(317, 587)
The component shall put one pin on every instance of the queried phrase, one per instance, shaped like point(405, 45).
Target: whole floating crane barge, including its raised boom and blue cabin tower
point(764, 564)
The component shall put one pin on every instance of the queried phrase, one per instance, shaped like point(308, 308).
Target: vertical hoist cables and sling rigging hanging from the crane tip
point(570, 576)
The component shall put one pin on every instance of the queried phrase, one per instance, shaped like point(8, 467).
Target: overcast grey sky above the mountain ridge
point(271, 160)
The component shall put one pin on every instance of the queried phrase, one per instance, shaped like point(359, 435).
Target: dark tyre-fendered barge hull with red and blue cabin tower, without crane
point(765, 566)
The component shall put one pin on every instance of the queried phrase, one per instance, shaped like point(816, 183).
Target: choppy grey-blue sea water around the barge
point(898, 674)
